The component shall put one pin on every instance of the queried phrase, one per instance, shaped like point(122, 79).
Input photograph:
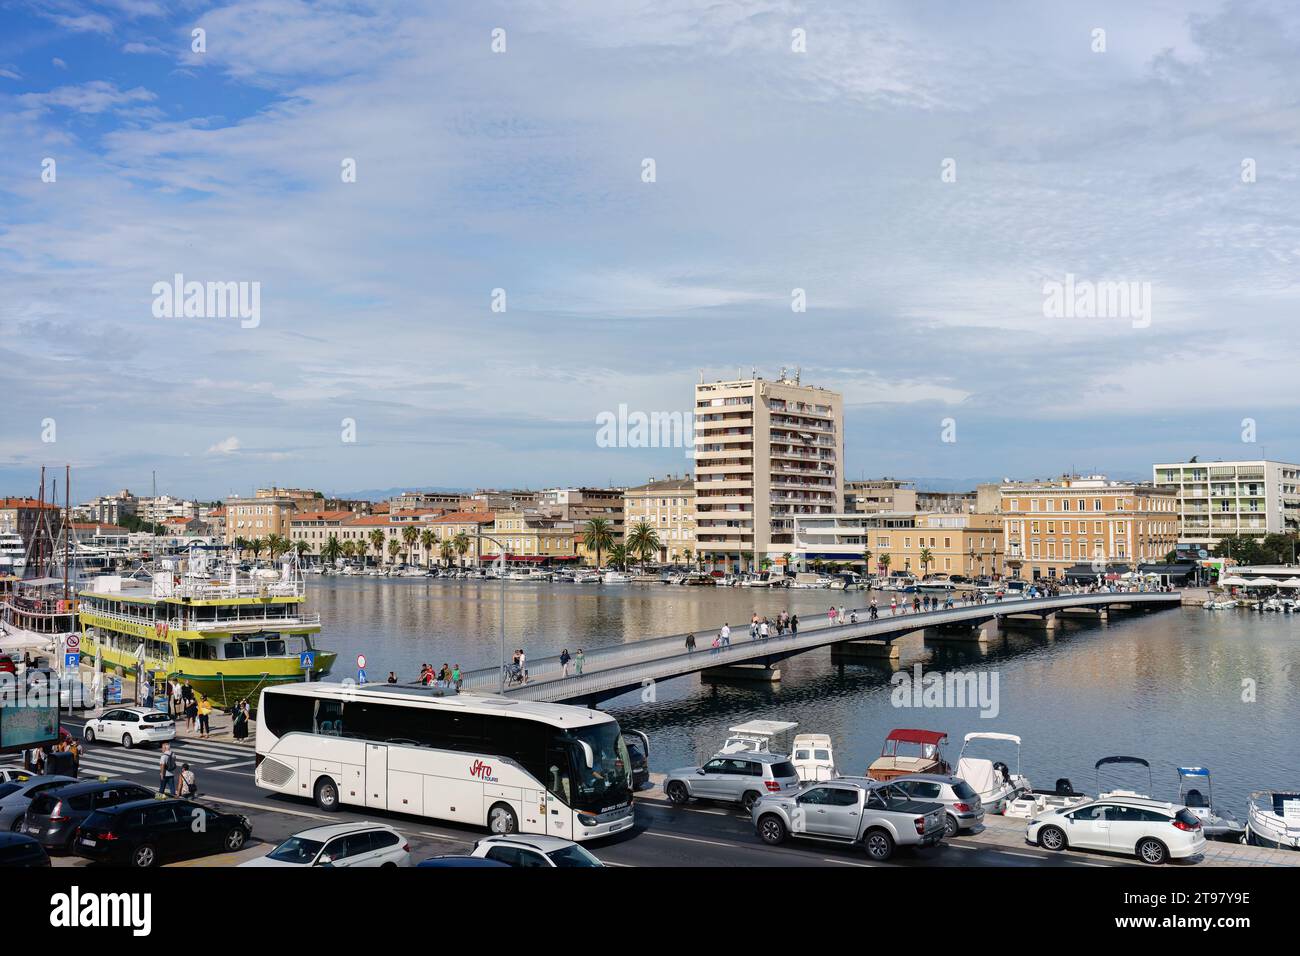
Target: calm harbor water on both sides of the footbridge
point(1167, 686)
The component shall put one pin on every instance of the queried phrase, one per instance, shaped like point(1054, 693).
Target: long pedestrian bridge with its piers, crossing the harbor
point(618, 669)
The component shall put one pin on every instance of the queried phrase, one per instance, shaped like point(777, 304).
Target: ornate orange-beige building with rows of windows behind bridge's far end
point(1074, 521)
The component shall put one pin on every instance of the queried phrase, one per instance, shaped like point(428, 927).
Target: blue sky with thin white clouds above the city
point(924, 172)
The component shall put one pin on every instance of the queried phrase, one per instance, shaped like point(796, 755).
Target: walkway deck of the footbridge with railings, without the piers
point(613, 671)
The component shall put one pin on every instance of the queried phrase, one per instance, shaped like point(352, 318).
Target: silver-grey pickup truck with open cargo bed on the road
point(876, 815)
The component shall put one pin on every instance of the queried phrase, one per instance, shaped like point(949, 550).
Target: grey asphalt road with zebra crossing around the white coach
point(700, 834)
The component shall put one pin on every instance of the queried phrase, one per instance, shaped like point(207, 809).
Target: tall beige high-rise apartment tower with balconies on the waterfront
point(766, 453)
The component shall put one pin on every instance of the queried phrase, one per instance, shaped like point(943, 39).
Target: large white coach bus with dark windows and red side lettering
point(513, 767)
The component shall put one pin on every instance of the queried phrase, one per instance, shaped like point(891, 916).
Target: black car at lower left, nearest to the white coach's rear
point(142, 833)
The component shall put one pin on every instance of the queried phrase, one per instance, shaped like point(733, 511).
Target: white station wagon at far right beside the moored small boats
point(1152, 830)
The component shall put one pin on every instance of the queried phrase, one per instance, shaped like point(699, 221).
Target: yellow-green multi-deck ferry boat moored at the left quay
point(228, 631)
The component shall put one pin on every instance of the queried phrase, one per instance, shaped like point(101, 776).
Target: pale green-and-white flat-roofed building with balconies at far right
point(1221, 499)
